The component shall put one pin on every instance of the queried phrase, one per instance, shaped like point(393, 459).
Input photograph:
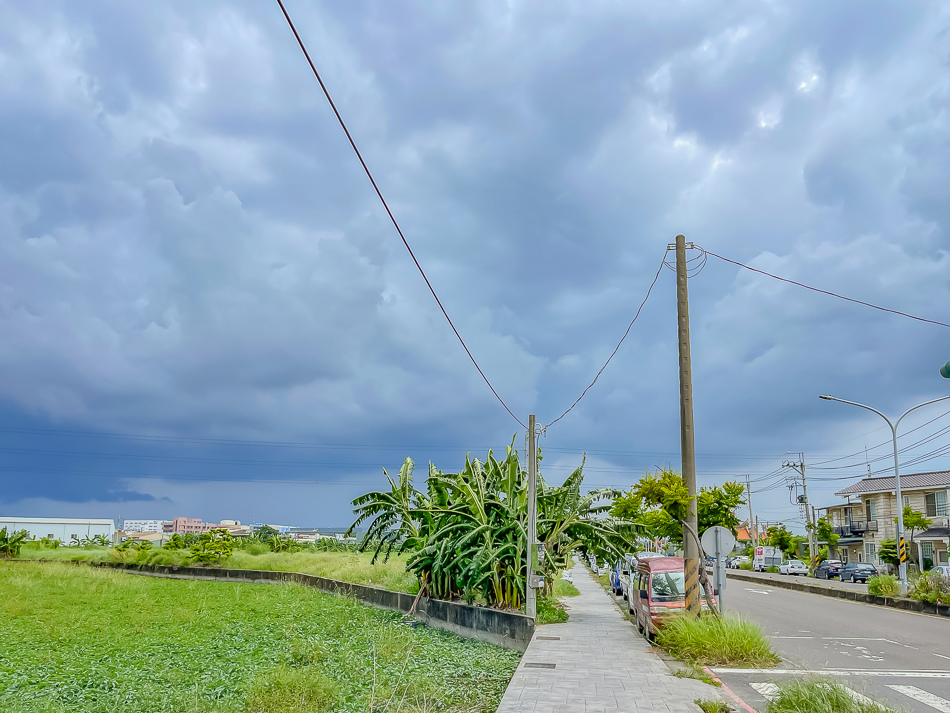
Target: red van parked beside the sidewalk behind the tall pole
point(657, 589)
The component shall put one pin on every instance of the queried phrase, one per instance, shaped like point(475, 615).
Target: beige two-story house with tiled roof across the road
point(868, 517)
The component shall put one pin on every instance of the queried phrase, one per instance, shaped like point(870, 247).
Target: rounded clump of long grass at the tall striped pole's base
point(712, 640)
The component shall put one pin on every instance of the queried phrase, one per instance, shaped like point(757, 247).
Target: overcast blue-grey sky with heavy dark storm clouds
point(206, 312)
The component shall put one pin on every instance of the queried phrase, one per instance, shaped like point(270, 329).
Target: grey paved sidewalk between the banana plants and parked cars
point(597, 663)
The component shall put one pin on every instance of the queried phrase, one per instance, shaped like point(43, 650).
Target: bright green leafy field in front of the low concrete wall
point(77, 639)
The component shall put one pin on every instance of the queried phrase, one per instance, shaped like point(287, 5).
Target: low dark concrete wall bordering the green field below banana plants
point(506, 629)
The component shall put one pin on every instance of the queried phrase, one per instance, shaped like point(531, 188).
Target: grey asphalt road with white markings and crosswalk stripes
point(900, 658)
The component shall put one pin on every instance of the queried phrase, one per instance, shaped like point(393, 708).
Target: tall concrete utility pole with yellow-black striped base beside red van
point(690, 547)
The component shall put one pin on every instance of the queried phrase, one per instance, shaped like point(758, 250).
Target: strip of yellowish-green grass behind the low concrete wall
point(344, 566)
